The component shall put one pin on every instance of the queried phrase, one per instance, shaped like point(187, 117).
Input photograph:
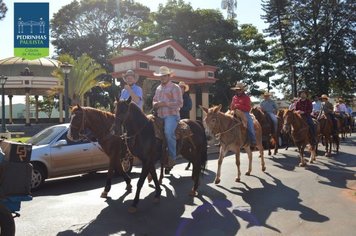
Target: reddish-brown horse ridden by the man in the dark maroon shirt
point(300, 134)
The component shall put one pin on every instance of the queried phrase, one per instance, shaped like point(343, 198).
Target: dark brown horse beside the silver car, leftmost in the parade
point(100, 124)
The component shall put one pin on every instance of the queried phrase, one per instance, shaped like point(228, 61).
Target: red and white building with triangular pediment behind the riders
point(168, 53)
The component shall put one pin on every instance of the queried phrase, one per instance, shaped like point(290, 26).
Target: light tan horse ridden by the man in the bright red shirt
point(232, 133)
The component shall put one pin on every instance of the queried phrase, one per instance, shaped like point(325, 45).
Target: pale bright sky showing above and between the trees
point(248, 11)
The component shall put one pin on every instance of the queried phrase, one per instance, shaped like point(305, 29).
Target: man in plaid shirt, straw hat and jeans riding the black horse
point(167, 101)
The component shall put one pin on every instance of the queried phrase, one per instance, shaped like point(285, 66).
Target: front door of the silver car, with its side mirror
point(72, 158)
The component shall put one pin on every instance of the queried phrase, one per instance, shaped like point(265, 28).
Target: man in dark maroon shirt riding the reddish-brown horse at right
point(304, 107)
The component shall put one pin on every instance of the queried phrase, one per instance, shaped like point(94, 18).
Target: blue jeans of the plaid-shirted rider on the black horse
point(170, 125)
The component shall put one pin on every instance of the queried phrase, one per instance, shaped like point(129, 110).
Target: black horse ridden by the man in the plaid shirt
point(143, 143)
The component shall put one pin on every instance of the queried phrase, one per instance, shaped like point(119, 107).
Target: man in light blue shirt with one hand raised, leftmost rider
point(131, 89)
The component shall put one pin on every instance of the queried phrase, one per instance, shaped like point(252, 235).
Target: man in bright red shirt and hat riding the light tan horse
point(242, 102)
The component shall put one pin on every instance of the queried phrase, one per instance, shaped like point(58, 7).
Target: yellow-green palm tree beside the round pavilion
point(82, 77)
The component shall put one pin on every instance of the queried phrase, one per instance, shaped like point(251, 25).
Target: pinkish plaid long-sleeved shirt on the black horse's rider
point(172, 94)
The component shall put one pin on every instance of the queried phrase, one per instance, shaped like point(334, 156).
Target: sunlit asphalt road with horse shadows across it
point(284, 200)
